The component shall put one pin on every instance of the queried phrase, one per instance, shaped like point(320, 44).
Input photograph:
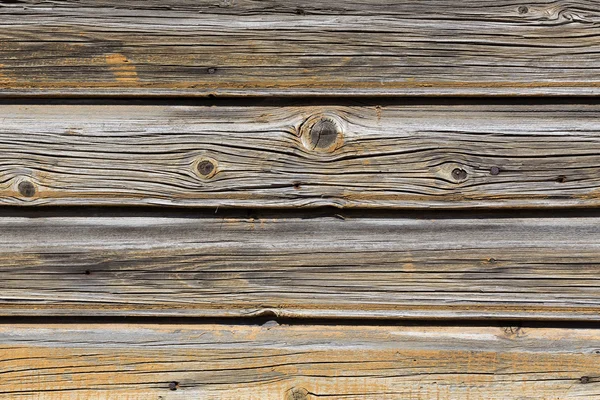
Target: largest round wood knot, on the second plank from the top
point(321, 133)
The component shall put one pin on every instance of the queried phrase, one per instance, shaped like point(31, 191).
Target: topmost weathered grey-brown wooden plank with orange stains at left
point(335, 48)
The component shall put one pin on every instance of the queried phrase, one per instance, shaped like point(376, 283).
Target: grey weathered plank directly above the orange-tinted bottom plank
point(323, 267)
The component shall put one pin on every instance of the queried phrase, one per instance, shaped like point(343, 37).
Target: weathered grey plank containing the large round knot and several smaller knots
point(381, 156)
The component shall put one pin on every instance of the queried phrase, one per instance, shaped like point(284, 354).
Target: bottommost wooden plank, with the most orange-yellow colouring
point(128, 362)
